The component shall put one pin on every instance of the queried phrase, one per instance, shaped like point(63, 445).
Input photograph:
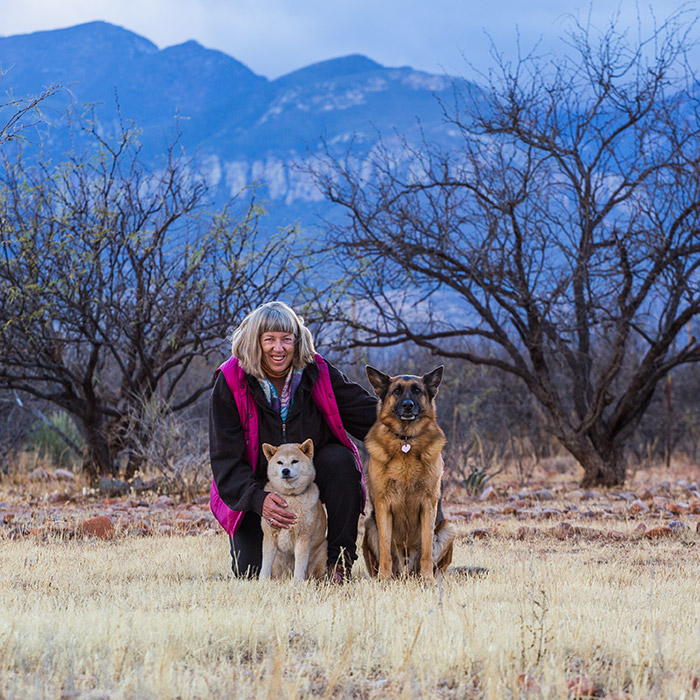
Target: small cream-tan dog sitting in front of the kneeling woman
point(302, 549)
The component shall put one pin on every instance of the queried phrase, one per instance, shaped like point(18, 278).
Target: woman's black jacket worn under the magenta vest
point(238, 487)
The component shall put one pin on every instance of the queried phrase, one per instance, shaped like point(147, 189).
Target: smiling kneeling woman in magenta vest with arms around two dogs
point(276, 389)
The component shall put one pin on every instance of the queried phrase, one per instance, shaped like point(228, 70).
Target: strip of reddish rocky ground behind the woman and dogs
point(51, 503)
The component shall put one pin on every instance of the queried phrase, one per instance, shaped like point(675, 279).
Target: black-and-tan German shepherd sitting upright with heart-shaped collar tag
point(405, 471)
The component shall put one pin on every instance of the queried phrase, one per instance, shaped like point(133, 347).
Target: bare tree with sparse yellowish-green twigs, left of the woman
point(116, 282)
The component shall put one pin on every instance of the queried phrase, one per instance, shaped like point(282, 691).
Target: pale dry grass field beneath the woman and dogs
point(591, 607)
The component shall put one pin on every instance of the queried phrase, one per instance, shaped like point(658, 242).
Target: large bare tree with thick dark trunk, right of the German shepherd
point(559, 242)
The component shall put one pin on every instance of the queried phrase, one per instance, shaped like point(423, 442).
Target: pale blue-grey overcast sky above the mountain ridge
point(273, 37)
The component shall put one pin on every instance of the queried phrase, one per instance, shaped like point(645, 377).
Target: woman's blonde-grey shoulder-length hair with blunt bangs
point(274, 316)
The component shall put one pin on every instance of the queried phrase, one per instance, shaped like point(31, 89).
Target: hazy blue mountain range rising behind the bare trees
point(239, 127)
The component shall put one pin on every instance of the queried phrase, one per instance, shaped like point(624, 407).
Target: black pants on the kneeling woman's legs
point(338, 482)
